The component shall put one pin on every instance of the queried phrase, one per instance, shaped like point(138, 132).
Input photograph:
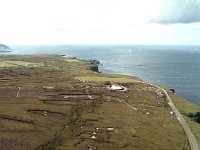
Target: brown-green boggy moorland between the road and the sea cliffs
point(62, 105)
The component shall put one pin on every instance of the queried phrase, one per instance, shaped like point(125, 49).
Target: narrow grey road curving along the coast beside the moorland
point(191, 138)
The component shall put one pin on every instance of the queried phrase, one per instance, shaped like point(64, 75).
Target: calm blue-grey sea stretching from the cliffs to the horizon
point(177, 67)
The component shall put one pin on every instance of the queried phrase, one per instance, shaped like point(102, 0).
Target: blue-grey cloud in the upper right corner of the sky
point(178, 11)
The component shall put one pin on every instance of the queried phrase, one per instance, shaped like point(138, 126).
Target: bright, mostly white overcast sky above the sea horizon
point(155, 22)
